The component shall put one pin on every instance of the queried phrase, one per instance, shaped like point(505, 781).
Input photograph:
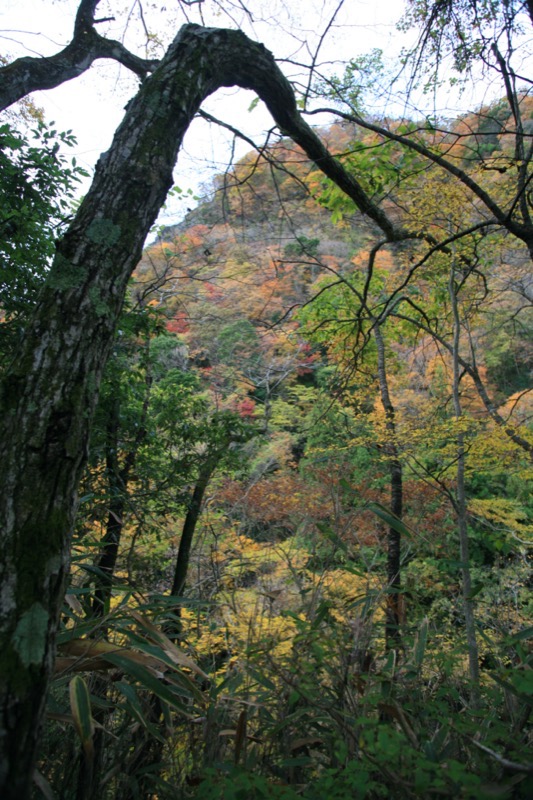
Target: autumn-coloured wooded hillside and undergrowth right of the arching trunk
point(283, 460)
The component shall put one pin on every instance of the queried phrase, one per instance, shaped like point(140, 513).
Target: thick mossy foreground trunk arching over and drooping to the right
point(48, 395)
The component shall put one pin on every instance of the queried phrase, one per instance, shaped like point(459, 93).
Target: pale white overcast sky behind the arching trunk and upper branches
point(93, 105)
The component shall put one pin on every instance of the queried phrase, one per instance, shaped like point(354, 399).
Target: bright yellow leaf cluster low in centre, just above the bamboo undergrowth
point(265, 595)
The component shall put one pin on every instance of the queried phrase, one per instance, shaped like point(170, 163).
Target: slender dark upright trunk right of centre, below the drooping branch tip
point(393, 616)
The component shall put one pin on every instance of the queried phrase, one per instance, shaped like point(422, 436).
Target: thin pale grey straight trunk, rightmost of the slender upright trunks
point(460, 498)
